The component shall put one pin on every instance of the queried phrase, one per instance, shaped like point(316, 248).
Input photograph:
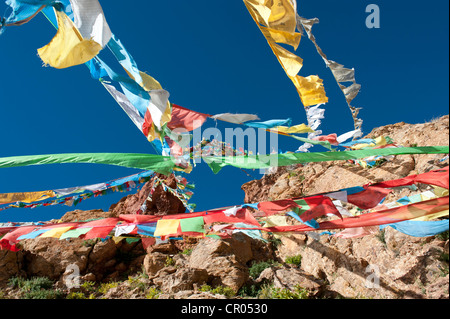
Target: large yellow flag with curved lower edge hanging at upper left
point(68, 48)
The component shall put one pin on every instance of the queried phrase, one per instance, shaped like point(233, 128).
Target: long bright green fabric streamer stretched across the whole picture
point(165, 164)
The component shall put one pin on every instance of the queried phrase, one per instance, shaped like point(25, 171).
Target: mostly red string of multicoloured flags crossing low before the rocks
point(237, 219)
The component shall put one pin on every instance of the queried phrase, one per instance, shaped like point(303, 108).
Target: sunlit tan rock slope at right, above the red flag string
point(315, 178)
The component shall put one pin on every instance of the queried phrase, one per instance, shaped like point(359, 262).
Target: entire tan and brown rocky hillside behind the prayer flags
point(386, 264)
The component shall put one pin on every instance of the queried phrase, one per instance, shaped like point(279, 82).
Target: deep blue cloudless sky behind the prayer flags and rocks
point(212, 58)
